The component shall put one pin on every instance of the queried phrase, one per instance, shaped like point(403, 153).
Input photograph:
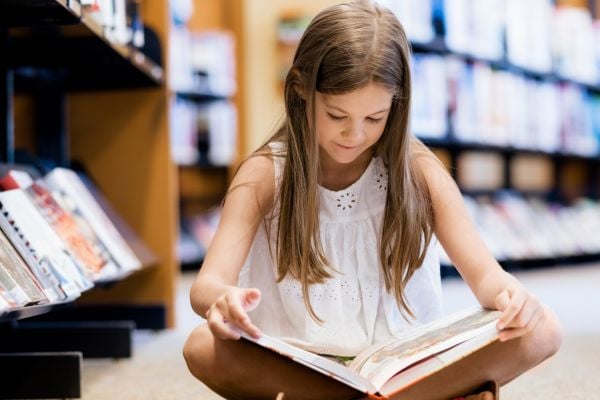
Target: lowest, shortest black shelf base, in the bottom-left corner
point(40, 375)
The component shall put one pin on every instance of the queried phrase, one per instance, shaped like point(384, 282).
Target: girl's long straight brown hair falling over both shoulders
point(344, 48)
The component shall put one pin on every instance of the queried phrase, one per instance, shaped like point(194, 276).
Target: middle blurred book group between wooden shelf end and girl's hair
point(203, 133)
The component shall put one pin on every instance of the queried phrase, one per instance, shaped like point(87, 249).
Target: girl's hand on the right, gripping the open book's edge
point(521, 312)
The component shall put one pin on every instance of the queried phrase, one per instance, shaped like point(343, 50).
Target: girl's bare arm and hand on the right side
point(492, 286)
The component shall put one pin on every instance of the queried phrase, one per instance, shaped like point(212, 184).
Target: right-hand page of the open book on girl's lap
point(380, 364)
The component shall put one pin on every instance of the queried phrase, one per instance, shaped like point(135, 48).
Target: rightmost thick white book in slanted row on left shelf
point(68, 183)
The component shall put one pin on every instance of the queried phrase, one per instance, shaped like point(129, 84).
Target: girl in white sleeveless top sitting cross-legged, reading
point(328, 234)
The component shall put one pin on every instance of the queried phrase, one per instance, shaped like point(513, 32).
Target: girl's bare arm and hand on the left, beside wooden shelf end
point(215, 294)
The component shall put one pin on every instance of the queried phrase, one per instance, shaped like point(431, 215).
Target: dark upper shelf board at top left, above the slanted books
point(74, 46)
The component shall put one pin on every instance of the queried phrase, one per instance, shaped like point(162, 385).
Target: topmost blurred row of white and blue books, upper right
point(533, 34)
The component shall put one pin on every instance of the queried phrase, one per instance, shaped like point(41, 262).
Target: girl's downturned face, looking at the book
point(347, 125)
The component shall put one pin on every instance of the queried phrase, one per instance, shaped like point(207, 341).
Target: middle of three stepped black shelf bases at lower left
point(92, 339)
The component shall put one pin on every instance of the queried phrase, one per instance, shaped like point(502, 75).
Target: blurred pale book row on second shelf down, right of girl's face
point(501, 107)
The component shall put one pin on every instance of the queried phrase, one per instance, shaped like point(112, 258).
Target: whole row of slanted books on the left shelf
point(58, 239)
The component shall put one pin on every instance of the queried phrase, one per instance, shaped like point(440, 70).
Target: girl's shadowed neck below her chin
point(335, 176)
